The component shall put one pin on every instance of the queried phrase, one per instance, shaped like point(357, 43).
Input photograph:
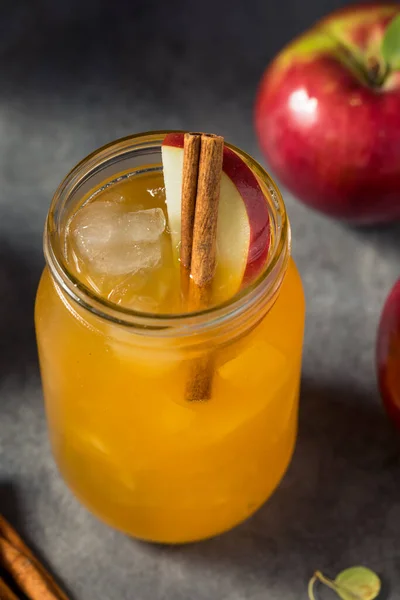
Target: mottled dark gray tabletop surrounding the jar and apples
point(75, 78)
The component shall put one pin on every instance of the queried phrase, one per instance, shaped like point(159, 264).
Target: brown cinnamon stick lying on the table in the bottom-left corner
point(24, 567)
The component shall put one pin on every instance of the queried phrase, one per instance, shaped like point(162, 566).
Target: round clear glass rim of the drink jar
point(254, 295)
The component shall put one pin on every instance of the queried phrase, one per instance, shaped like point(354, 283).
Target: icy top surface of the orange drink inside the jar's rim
point(119, 244)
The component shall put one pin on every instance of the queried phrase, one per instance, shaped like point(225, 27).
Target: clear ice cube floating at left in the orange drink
point(116, 242)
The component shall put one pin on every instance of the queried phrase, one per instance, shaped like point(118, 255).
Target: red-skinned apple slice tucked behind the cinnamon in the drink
point(243, 231)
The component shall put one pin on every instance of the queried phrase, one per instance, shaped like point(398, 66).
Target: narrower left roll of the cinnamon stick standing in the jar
point(191, 157)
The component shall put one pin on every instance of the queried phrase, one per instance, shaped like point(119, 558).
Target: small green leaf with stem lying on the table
point(355, 583)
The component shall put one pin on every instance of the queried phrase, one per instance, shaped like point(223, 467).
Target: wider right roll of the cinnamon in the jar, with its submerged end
point(203, 253)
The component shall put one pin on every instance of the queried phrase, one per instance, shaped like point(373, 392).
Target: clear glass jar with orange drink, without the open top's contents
point(128, 444)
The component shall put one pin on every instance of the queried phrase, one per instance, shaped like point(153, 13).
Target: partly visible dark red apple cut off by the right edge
point(388, 354)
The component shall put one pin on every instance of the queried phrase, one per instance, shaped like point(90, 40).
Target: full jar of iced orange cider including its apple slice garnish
point(171, 421)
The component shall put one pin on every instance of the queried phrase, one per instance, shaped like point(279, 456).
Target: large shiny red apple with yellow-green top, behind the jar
point(328, 114)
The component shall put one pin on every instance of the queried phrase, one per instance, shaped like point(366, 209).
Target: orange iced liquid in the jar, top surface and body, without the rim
point(126, 441)
